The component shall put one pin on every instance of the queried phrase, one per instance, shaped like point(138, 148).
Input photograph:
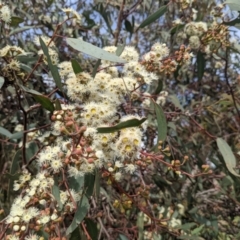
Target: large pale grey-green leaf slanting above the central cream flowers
point(92, 50)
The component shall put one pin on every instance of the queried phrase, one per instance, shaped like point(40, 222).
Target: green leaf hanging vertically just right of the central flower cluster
point(161, 122)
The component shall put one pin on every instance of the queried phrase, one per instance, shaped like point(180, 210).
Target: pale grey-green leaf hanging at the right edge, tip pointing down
point(228, 156)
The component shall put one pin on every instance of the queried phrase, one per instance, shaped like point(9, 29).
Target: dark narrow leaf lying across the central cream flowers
point(126, 124)
